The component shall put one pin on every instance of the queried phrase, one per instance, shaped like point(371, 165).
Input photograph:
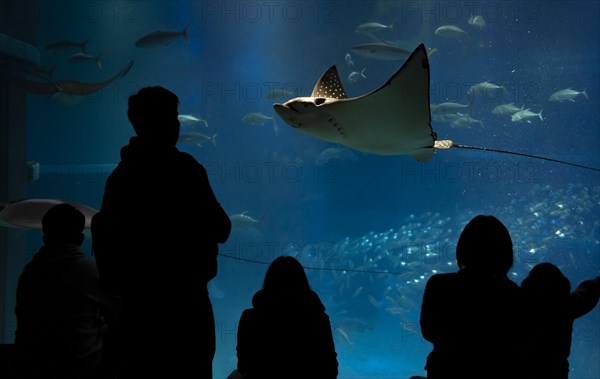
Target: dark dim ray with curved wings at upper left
point(65, 91)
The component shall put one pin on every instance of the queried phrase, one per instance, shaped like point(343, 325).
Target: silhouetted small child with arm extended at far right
point(550, 310)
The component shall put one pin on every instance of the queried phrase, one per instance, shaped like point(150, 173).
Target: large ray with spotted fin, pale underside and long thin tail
point(394, 119)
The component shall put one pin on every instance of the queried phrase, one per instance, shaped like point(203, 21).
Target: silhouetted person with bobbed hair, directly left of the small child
point(471, 316)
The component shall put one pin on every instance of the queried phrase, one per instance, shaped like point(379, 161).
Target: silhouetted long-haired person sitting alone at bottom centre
point(287, 333)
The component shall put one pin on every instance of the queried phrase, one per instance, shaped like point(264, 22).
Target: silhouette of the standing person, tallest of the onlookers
point(156, 243)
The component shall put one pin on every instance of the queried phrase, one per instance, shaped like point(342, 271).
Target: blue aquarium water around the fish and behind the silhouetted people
point(347, 213)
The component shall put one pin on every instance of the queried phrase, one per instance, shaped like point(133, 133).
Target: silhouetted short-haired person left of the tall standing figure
point(60, 307)
